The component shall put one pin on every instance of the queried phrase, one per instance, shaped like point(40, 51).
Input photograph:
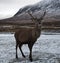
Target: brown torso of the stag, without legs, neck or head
point(27, 34)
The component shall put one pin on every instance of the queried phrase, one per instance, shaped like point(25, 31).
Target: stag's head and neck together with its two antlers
point(37, 23)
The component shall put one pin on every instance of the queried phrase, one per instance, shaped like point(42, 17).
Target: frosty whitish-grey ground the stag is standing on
point(45, 50)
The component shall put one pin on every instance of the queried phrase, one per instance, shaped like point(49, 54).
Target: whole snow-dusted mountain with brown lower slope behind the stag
point(51, 6)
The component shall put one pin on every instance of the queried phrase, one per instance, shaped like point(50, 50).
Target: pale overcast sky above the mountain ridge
point(9, 7)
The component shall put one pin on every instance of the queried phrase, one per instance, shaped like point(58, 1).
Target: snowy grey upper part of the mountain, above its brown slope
point(51, 6)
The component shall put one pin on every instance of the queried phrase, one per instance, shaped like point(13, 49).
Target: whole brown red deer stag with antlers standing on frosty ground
point(28, 35)
